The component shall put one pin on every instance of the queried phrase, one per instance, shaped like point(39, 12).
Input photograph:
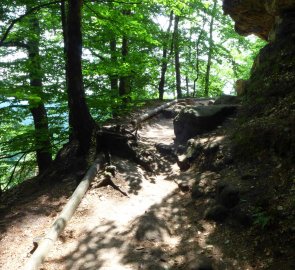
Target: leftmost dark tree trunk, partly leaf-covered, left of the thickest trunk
point(38, 111)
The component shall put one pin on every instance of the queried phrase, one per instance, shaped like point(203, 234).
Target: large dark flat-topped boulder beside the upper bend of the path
point(193, 121)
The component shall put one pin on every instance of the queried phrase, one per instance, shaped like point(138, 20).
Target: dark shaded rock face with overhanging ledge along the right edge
point(269, 114)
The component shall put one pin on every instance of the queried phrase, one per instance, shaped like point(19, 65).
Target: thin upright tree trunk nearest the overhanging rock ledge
point(210, 52)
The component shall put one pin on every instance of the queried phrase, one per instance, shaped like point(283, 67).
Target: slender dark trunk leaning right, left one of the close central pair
point(165, 59)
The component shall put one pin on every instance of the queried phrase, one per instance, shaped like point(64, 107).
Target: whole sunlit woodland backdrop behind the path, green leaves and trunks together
point(131, 51)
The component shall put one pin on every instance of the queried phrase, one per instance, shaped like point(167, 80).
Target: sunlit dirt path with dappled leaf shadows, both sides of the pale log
point(158, 226)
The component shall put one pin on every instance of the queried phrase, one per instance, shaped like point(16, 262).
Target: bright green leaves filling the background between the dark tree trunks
point(104, 22)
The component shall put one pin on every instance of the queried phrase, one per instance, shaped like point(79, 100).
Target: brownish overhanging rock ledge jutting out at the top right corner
point(256, 16)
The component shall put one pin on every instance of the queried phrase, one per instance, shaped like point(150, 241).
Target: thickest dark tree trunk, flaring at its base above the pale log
point(80, 119)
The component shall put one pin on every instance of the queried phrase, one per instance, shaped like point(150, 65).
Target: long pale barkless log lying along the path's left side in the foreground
point(60, 223)
